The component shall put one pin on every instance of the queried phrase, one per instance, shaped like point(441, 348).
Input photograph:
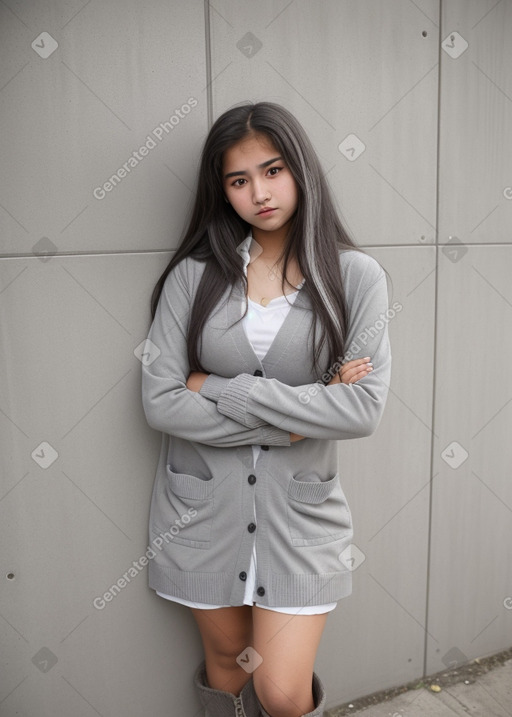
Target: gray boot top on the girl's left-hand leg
point(224, 704)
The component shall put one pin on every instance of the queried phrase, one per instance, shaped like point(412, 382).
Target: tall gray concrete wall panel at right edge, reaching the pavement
point(470, 569)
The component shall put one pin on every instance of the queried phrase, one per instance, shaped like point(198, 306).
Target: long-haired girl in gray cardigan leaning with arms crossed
point(252, 380)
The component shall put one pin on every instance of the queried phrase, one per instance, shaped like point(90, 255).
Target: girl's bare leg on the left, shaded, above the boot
point(225, 633)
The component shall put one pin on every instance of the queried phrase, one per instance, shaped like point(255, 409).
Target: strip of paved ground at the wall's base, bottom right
point(487, 695)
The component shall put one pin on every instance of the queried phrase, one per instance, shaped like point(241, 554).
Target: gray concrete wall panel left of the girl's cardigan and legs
point(77, 465)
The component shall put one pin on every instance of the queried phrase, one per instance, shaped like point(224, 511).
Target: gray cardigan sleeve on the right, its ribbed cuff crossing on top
point(339, 411)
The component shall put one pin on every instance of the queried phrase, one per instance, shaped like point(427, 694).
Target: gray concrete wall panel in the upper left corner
point(82, 92)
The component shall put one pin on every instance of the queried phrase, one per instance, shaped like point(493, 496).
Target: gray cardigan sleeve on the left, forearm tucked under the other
point(168, 404)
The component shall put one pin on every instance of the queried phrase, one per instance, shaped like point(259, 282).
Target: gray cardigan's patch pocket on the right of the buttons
point(318, 512)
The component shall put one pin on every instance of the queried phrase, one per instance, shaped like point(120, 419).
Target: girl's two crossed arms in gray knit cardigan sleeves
point(248, 409)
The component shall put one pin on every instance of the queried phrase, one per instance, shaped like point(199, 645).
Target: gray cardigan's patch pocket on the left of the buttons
point(188, 512)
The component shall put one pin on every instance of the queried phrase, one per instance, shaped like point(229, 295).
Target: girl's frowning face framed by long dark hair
point(258, 184)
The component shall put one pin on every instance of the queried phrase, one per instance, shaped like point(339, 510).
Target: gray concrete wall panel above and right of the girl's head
point(364, 88)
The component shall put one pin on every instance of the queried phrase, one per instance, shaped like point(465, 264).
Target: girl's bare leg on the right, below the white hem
point(288, 646)
